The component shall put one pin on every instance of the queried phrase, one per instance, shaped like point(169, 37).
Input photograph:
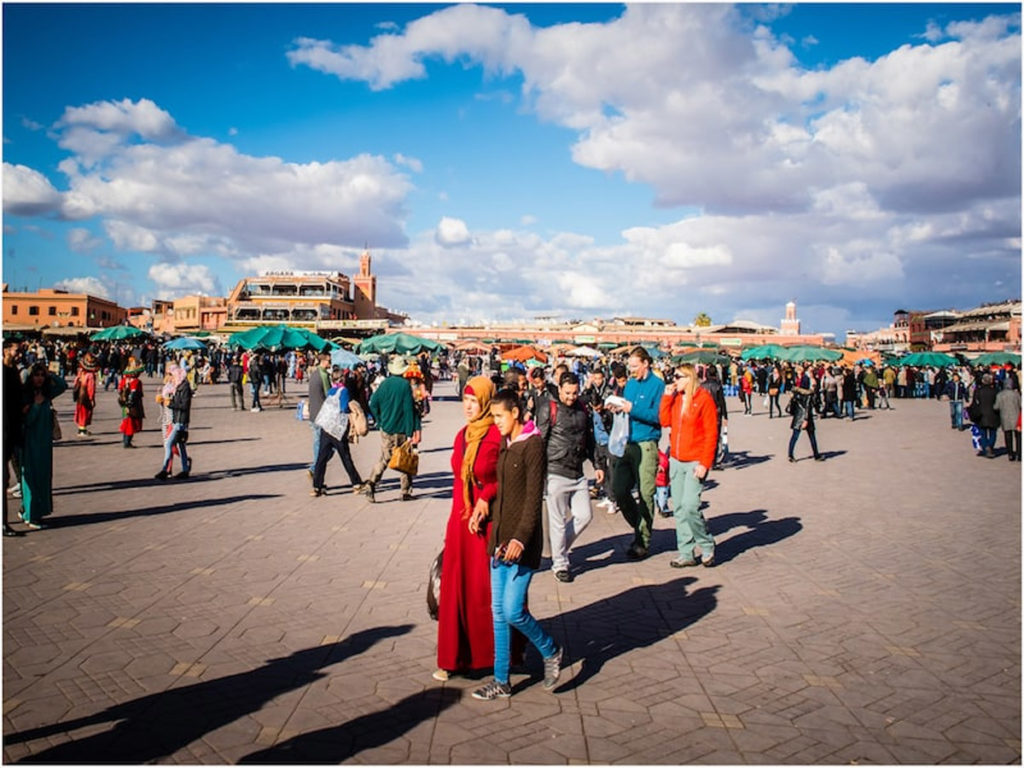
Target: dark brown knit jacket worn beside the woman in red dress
point(521, 493)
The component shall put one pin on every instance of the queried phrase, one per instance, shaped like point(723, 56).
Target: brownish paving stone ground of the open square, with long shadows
point(866, 610)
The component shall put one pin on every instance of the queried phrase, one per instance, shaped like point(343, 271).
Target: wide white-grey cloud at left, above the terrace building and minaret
point(157, 190)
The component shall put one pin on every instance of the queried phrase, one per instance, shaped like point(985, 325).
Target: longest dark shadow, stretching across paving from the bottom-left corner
point(160, 724)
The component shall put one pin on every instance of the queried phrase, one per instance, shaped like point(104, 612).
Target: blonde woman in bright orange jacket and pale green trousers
point(690, 413)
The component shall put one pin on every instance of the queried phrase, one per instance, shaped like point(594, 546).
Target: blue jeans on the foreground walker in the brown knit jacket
point(509, 583)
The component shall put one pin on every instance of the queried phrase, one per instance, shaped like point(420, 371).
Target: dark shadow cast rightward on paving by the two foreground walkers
point(635, 619)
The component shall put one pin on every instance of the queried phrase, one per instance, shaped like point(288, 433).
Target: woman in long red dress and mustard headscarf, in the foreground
point(465, 628)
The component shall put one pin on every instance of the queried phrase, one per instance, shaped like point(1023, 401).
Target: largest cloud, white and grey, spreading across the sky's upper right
point(694, 99)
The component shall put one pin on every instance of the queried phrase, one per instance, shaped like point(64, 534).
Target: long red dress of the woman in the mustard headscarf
point(465, 628)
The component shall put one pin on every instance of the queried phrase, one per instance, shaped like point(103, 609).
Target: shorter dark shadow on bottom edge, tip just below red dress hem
point(332, 746)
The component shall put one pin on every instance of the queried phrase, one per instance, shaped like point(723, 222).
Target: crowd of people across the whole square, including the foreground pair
point(528, 438)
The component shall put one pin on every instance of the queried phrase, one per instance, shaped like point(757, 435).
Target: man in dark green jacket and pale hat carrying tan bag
point(395, 410)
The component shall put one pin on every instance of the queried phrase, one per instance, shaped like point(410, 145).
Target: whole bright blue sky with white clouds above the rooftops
point(513, 161)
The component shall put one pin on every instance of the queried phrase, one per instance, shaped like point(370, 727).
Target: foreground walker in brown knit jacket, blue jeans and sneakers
point(517, 540)
